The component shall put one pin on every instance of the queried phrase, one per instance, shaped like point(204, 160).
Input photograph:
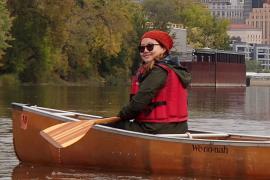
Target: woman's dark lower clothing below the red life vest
point(153, 128)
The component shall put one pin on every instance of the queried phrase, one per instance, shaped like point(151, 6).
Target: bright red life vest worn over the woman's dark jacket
point(169, 105)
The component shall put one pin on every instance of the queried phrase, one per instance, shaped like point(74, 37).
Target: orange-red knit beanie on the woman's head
point(160, 36)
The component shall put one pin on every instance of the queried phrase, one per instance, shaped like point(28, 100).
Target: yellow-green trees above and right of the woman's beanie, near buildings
point(203, 29)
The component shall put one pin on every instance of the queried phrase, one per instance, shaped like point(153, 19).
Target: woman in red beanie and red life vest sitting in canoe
point(158, 103)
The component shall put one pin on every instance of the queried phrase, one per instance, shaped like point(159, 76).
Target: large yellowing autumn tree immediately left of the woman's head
point(104, 33)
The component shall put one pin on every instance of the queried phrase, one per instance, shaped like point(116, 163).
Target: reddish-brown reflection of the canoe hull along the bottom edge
point(37, 171)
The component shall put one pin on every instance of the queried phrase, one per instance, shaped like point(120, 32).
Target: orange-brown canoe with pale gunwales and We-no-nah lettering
point(198, 153)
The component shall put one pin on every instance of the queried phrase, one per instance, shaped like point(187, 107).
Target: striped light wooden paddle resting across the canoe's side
point(66, 134)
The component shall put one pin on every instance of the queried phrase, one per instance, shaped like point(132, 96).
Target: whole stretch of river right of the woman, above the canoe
point(238, 110)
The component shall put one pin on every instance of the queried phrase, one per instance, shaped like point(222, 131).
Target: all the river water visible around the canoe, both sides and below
point(237, 110)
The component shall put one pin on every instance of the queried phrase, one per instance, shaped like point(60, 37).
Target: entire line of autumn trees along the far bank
point(74, 40)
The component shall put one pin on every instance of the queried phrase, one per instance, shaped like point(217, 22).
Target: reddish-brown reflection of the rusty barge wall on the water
point(215, 101)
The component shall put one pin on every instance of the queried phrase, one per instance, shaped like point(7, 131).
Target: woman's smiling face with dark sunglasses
point(150, 50)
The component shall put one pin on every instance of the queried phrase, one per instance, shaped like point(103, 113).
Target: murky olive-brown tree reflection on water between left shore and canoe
point(94, 100)
